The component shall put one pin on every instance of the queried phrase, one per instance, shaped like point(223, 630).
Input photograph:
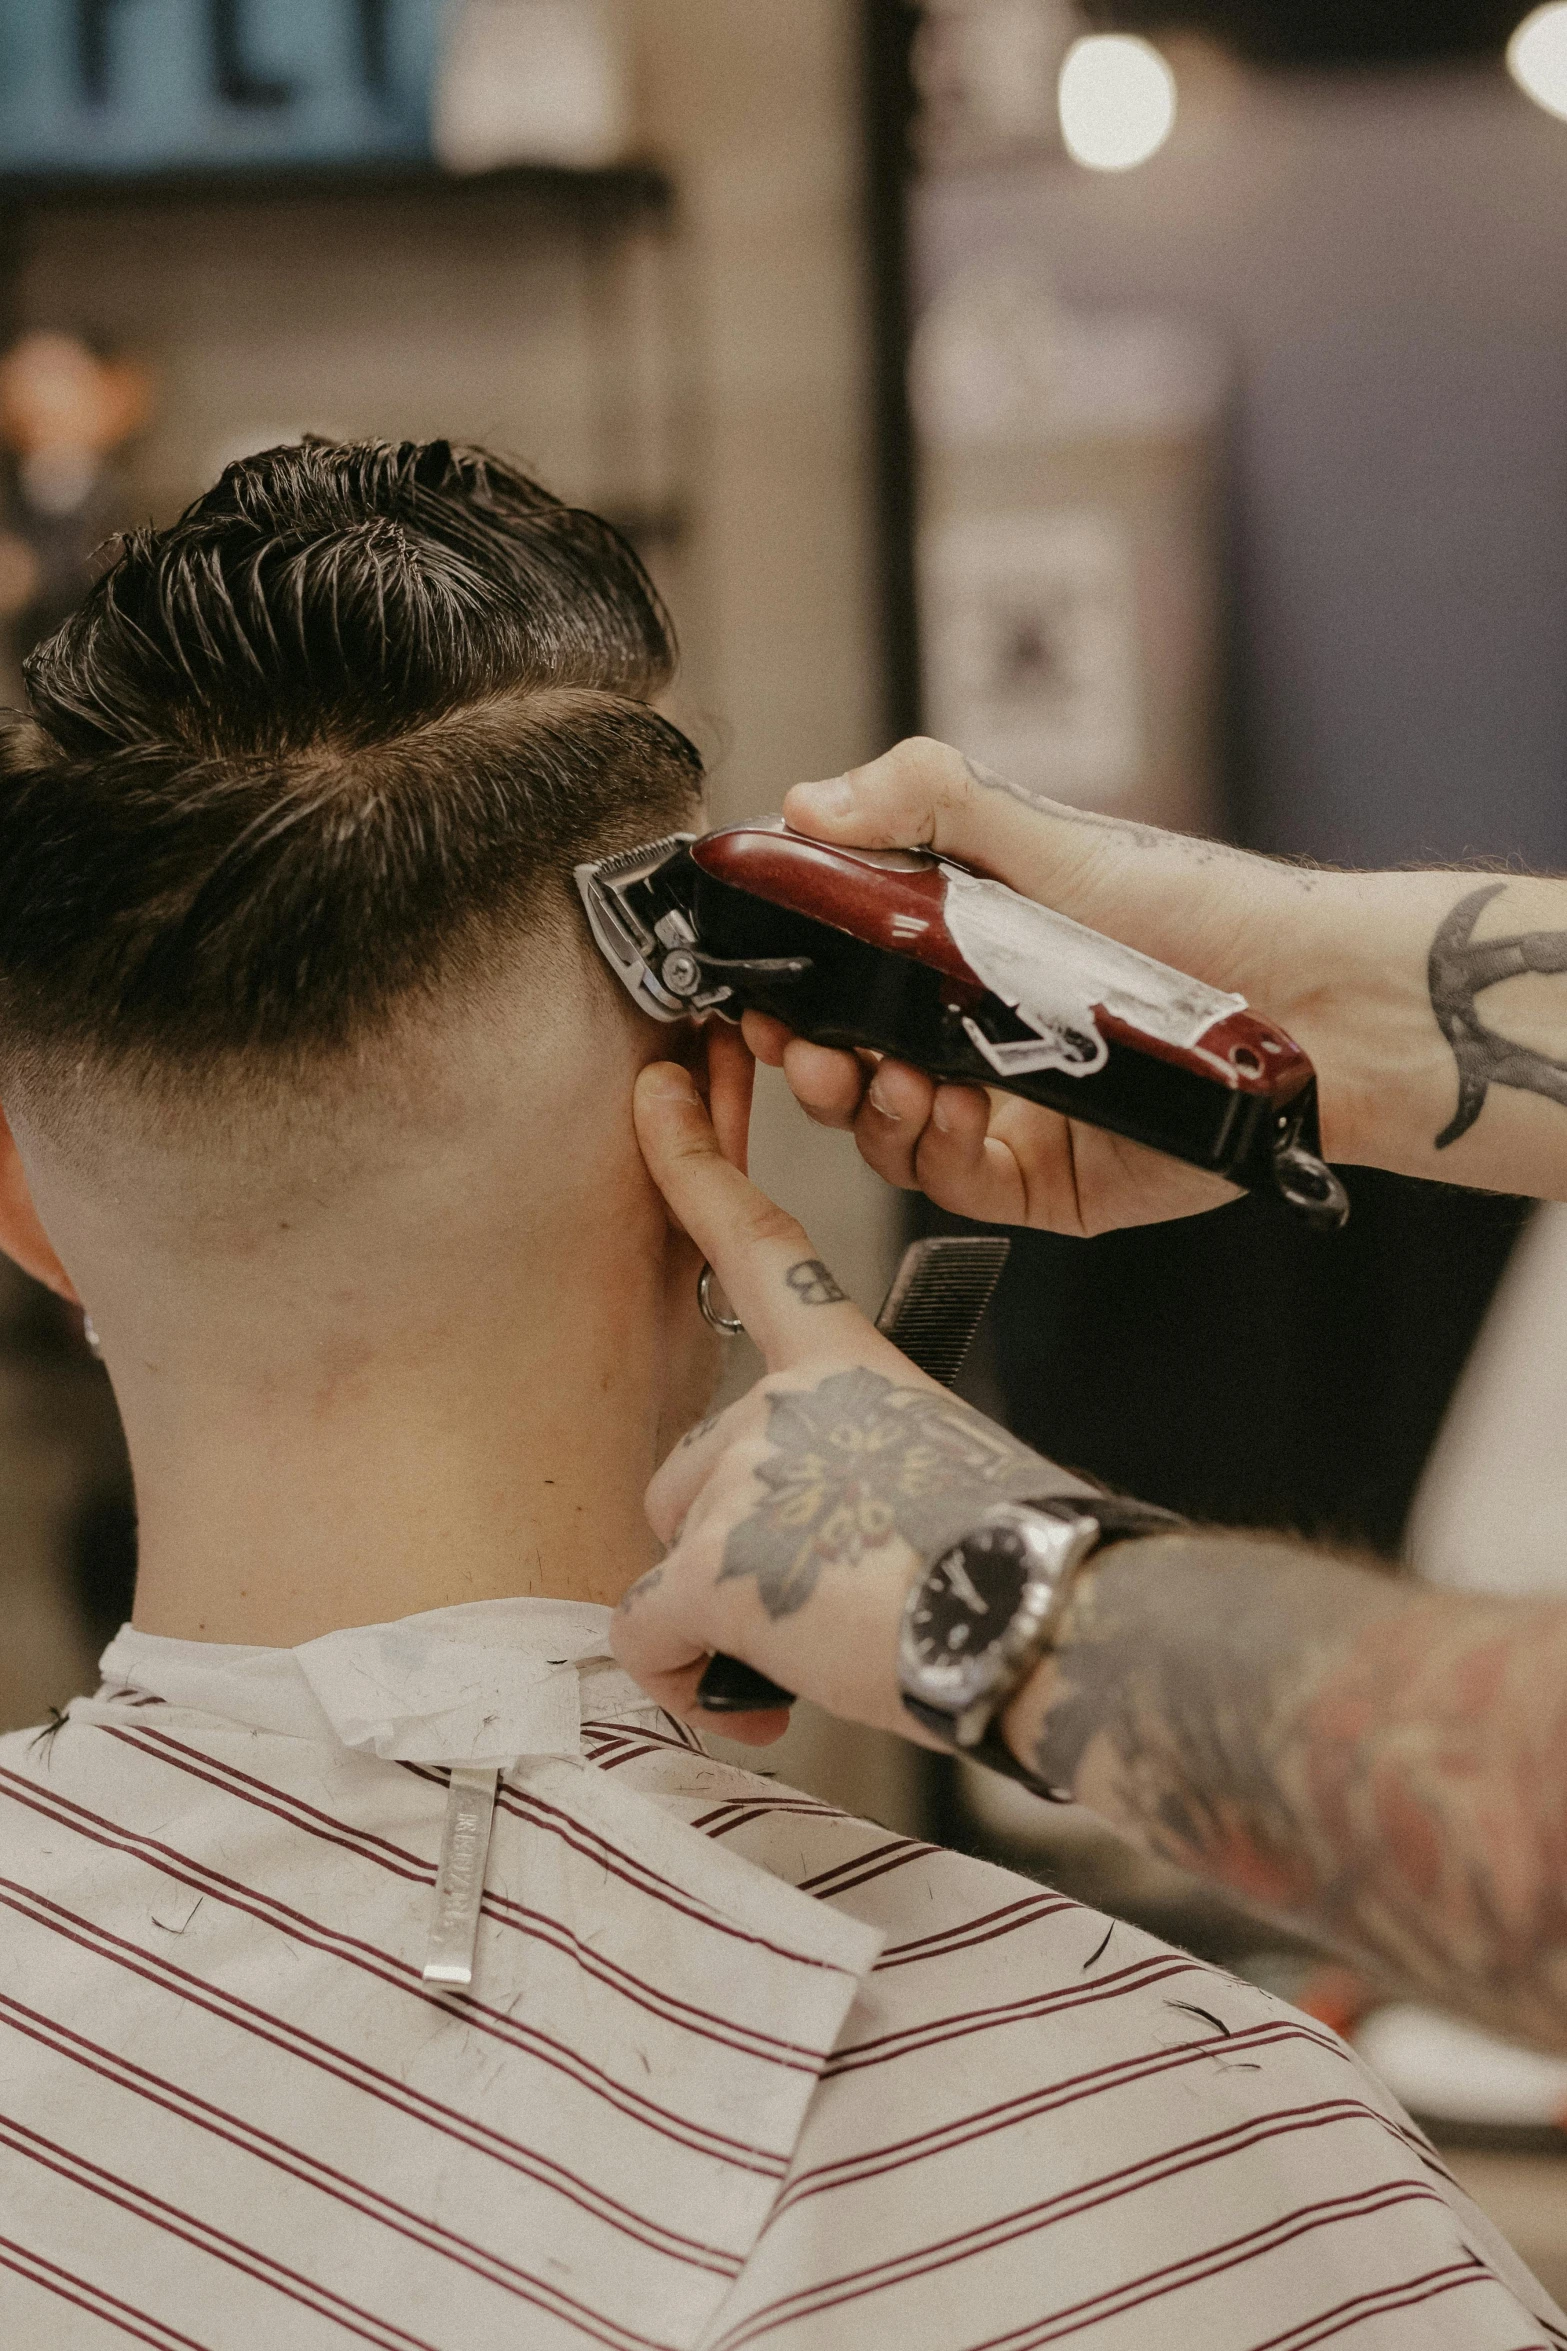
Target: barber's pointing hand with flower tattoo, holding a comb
point(798, 1518)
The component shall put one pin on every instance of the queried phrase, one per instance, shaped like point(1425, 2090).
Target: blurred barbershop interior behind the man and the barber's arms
point(1166, 401)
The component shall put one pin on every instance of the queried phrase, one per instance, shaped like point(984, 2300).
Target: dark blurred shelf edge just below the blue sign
point(603, 196)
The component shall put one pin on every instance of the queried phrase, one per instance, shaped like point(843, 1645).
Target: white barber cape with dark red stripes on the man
point(734, 2068)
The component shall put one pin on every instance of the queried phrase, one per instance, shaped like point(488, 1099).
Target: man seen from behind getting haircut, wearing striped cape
point(321, 1104)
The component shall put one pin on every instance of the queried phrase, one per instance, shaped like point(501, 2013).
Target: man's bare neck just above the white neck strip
point(271, 1515)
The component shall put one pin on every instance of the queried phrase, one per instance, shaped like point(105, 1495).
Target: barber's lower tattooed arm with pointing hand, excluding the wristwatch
point(1378, 1767)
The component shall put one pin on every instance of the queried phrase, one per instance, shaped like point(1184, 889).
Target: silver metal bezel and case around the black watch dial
point(969, 1692)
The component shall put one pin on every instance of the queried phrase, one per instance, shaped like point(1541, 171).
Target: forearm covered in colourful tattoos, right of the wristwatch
point(1380, 1767)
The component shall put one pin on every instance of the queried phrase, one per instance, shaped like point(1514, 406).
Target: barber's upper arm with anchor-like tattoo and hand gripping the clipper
point(1432, 1003)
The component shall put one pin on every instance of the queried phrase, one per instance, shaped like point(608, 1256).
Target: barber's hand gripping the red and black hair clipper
point(1218, 913)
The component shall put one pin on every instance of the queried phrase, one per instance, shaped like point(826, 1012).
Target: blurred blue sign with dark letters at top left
point(152, 86)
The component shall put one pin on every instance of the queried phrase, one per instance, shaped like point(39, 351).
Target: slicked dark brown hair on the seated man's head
point(323, 746)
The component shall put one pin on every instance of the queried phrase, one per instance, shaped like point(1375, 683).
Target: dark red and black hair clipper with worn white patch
point(906, 953)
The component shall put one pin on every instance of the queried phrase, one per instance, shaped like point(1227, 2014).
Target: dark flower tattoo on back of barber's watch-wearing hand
point(859, 1463)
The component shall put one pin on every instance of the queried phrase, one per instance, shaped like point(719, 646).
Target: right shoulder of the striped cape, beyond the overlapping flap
point(1018, 2054)
